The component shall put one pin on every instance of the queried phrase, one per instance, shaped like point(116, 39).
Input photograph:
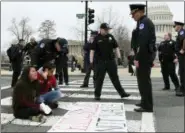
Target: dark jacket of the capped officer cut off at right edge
point(179, 40)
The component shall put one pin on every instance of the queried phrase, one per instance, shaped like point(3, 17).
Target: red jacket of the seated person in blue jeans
point(46, 85)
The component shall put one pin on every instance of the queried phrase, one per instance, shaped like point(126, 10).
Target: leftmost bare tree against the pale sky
point(21, 30)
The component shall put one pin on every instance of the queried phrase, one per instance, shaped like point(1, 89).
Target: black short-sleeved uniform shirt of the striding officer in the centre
point(104, 46)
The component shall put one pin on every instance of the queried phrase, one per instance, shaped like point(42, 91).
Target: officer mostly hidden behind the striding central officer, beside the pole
point(87, 61)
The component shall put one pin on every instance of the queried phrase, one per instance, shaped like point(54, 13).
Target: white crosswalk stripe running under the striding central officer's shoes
point(105, 96)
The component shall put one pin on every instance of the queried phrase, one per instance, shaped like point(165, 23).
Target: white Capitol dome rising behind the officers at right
point(162, 18)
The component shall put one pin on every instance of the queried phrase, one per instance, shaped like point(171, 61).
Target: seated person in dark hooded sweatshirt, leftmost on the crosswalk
point(24, 97)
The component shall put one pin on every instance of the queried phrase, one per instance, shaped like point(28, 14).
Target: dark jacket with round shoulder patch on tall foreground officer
point(146, 40)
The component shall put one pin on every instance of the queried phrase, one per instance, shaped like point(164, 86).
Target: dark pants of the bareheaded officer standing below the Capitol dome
point(168, 69)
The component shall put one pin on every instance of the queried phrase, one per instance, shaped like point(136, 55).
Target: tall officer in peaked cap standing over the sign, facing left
point(145, 56)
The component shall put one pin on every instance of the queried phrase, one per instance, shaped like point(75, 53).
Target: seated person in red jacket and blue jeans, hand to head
point(49, 94)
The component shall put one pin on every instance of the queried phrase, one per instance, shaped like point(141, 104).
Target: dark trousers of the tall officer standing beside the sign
point(144, 85)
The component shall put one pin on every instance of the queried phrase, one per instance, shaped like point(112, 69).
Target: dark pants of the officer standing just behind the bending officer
point(64, 74)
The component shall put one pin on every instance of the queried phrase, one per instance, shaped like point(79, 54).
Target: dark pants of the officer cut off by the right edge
point(182, 72)
